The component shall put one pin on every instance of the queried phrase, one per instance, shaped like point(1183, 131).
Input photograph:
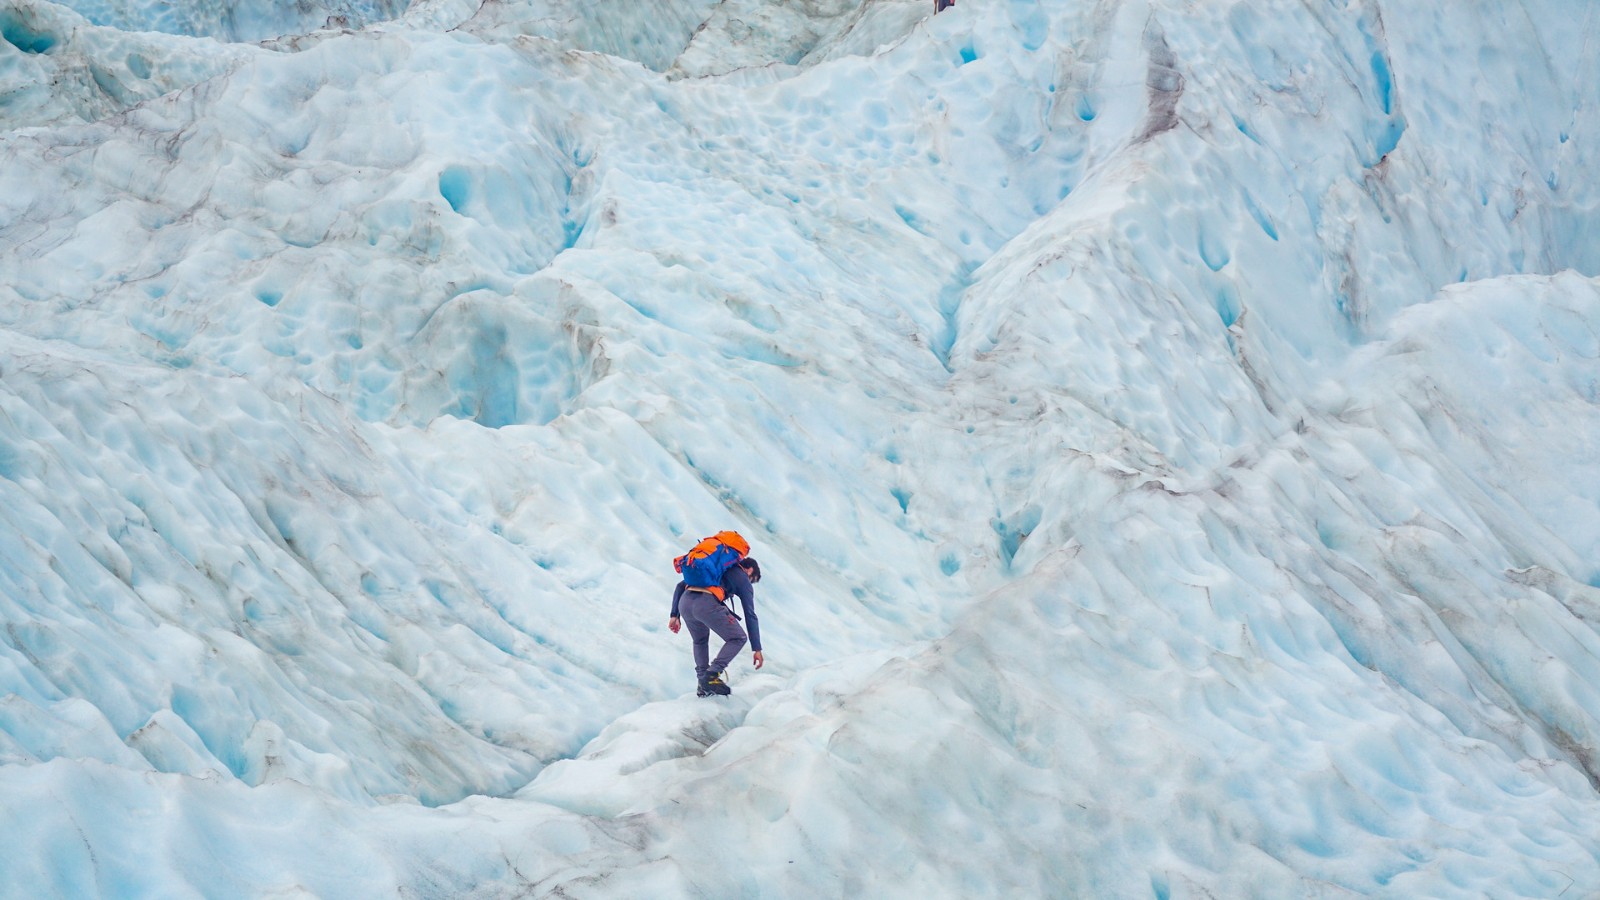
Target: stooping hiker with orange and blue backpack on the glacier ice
point(714, 569)
